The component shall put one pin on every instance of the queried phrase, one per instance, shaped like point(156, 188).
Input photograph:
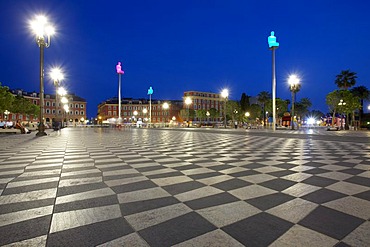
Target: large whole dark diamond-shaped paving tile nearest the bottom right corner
point(331, 222)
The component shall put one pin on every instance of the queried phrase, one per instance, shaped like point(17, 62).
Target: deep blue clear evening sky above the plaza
point(175, 46)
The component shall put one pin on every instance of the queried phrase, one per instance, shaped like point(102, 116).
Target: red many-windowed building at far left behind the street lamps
point(53, 108)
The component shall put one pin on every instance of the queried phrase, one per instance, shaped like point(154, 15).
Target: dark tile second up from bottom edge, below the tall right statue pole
point(269, 201)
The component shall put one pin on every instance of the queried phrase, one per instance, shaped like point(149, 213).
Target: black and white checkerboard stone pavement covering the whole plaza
point(146, 187)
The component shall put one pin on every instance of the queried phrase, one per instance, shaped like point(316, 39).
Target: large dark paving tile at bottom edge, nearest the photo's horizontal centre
point(176, 230)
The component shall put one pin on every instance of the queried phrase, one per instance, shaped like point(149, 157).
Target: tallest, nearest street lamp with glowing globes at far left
point(42, 30)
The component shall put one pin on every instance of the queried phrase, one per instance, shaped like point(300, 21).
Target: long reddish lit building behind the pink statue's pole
point(139, 109)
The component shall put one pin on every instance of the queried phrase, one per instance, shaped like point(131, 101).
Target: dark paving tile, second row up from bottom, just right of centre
point(211, 201)
